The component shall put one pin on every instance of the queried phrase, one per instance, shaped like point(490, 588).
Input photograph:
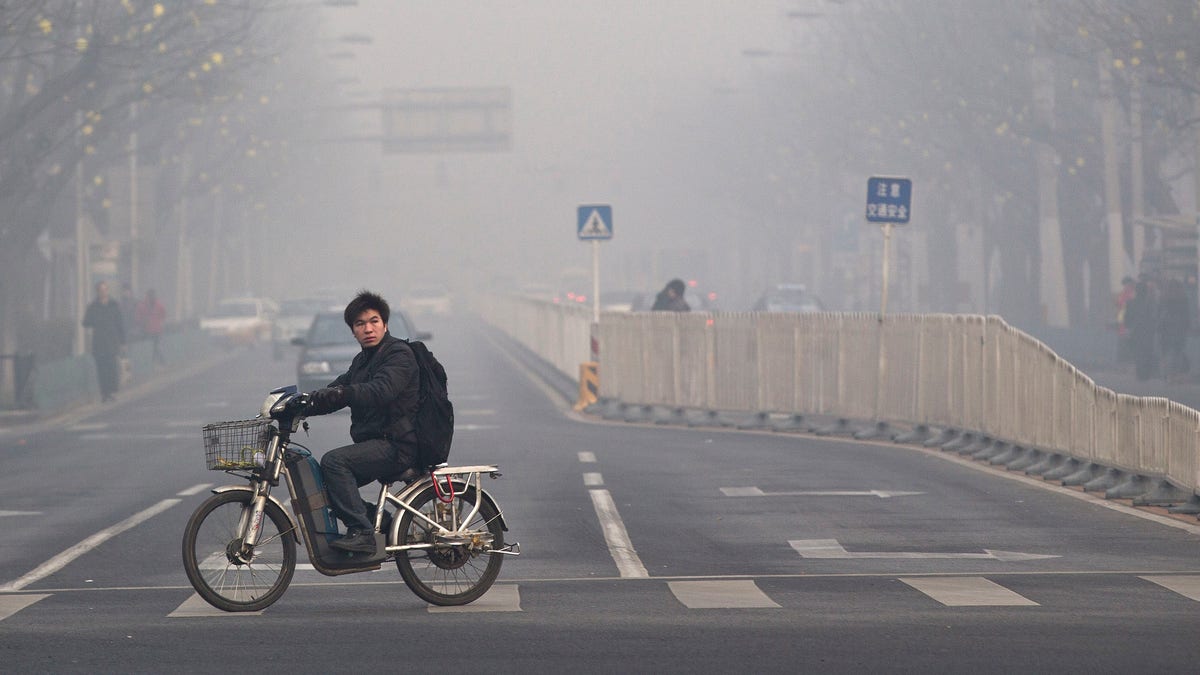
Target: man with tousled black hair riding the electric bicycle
point(382, 389)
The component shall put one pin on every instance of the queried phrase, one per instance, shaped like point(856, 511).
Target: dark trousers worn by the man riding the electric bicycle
point(350, 468)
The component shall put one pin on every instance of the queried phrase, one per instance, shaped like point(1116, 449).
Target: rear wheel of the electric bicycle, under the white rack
point(457, 571)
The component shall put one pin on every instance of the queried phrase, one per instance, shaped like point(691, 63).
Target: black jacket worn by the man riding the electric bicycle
point(382, 389)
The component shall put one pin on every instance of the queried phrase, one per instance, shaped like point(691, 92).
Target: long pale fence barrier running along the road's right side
point(968, 373)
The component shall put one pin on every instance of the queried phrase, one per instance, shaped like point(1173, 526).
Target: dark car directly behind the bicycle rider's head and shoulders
point(329, 347)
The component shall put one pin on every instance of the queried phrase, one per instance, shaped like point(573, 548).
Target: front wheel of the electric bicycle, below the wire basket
point(223, 571)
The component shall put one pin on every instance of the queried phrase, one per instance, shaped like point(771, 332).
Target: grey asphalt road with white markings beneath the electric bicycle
point(645, 549)
